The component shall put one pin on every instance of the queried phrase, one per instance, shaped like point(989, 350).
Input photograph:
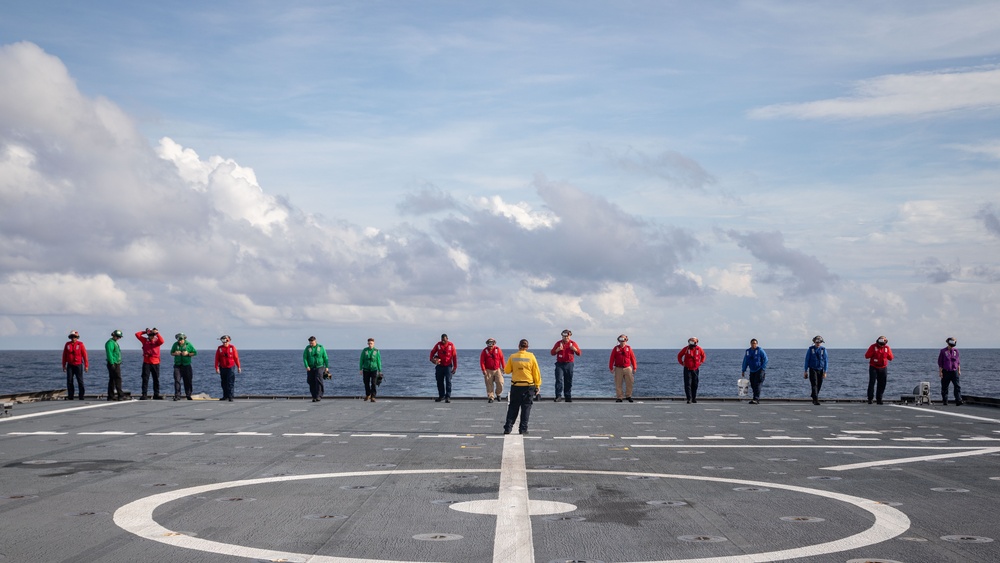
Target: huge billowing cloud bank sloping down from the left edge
point(96, 221)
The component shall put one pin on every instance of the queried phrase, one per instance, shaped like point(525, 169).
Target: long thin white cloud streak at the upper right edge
point(915, 94)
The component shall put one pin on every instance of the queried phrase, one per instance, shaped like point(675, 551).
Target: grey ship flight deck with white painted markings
point(650, 481)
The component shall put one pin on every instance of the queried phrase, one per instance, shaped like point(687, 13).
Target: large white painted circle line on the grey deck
point(137, 517)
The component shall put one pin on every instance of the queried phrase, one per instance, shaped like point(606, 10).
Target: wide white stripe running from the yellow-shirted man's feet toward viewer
point(512, 542)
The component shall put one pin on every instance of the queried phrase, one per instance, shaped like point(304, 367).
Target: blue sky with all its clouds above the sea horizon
point(399, 170)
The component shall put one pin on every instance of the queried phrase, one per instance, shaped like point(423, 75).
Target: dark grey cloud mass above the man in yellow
point(590, 243)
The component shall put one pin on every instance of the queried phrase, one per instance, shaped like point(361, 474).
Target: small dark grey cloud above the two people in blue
point(798, 273)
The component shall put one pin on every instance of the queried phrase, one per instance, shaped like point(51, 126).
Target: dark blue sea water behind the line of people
point(409, 373)
